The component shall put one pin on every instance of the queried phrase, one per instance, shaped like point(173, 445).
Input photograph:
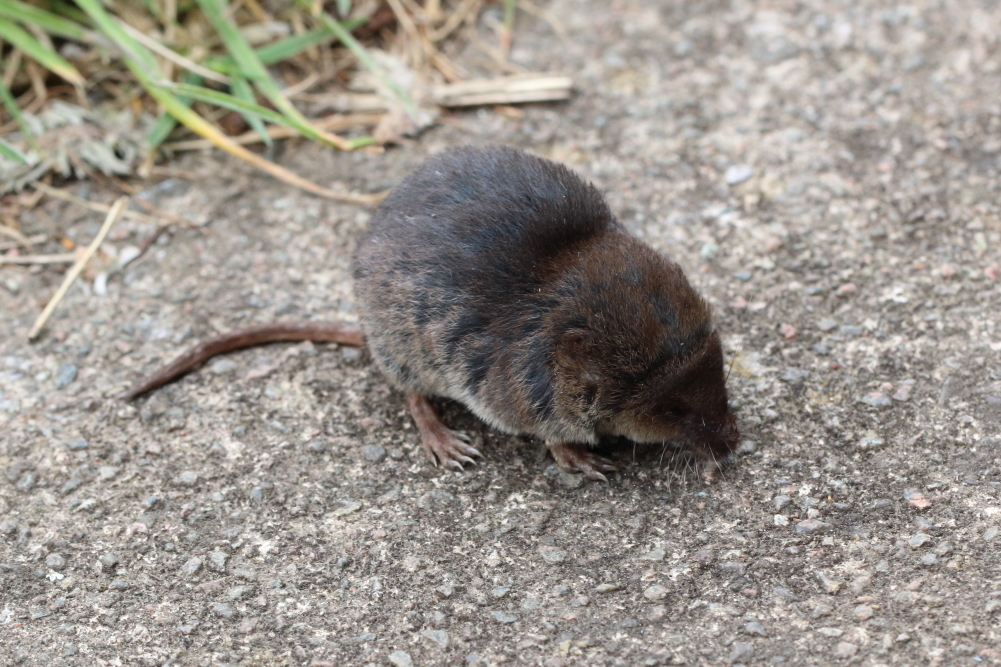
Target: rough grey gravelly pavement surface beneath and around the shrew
point(826, 172)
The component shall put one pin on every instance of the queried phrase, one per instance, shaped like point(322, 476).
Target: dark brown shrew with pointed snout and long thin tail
point(502, 281)
